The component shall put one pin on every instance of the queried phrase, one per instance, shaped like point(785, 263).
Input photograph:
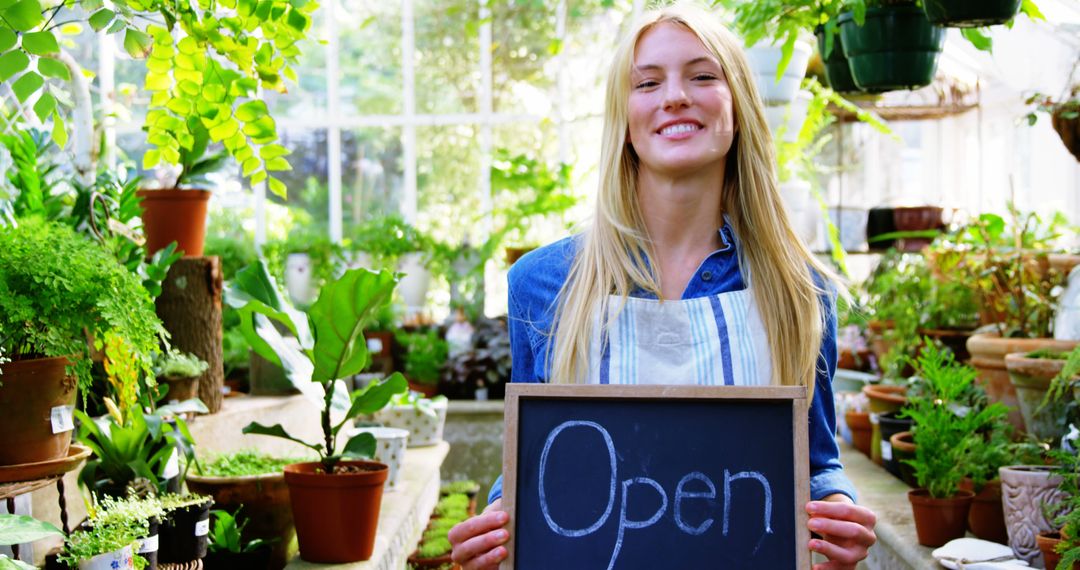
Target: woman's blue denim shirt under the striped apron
point(535, 282)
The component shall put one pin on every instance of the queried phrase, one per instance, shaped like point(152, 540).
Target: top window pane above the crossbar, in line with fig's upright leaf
point(370, 36)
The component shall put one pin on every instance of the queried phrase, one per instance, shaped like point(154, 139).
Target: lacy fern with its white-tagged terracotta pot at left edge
point(49, 305)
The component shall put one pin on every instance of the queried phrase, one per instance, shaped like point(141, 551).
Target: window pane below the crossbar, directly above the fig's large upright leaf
point(372, 174)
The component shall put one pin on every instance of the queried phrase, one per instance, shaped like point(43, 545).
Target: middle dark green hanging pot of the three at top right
point(896, 49)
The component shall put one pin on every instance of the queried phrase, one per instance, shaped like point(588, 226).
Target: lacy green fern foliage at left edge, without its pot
point(50, 303)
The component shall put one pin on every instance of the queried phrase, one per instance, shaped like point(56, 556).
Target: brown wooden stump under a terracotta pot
point(191, 308)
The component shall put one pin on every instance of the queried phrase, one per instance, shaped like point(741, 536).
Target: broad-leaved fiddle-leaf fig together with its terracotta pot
point(335, 500)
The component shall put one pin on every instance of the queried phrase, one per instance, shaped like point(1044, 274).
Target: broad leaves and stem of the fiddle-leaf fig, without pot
point(332, 347)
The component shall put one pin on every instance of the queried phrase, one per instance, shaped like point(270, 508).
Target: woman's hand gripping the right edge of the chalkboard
point(846, 532)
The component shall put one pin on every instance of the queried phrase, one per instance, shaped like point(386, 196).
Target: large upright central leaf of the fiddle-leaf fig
point(340, 315)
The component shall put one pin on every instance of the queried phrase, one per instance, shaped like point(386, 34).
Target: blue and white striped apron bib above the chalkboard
point(717, 341)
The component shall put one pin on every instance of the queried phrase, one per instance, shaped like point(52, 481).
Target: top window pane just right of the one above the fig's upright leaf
point(448, 57)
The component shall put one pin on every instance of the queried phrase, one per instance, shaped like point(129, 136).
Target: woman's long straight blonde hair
point(616, 253)
